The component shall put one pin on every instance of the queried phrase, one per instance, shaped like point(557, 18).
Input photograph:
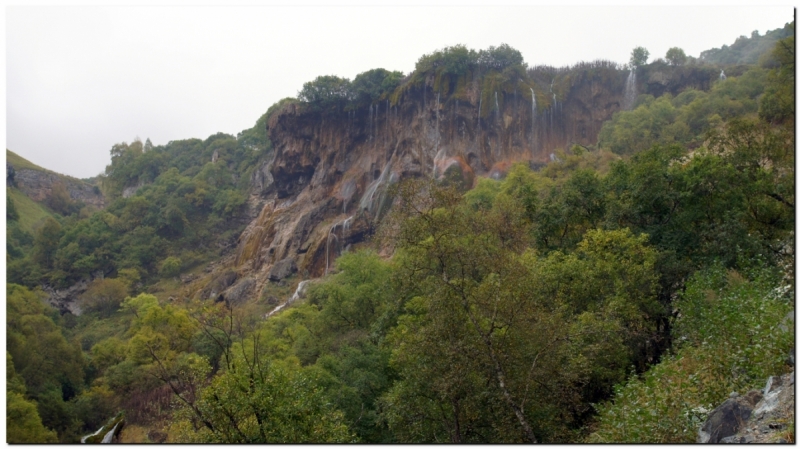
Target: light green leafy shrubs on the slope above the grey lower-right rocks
point(732, 335)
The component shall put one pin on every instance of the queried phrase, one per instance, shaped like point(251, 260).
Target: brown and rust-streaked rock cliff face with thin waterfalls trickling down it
point(326, 187)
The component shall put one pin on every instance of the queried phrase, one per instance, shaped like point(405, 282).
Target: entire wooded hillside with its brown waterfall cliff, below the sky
point(479, 251)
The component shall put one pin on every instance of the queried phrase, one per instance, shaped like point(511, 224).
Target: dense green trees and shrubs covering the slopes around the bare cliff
point(615, 295)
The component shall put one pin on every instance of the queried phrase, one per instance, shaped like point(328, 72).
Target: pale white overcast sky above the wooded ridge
point(80, 79)
